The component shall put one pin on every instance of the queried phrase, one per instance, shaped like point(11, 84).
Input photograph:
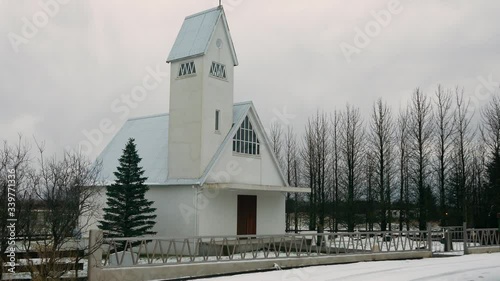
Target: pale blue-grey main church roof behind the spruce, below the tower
point(151, 138)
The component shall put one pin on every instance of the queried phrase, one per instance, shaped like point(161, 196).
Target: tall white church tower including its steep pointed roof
point(202, 62)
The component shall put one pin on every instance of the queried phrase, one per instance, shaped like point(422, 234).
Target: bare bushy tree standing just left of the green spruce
point(67, 184)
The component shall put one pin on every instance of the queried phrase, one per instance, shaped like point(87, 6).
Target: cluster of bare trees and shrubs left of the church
point(53, 197)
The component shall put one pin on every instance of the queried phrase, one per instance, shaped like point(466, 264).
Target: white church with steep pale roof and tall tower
point(210, 168)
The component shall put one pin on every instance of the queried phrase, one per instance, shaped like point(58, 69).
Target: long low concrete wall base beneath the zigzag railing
point(165, 272)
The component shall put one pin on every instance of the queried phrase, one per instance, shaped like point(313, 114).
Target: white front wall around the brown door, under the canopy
point(218, 212)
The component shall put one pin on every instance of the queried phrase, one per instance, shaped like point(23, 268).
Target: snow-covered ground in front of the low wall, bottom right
point(484, 267)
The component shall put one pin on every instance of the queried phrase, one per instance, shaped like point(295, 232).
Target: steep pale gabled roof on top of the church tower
point(196, 34)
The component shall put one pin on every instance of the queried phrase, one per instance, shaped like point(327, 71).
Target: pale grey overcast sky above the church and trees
point(62, 78)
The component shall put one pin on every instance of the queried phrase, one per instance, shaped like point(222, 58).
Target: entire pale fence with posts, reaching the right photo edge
point(146, 251)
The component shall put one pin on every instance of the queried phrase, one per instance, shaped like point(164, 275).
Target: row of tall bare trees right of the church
point(432, 160)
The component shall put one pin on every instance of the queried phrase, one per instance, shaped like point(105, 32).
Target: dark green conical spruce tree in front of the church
point(128, 212)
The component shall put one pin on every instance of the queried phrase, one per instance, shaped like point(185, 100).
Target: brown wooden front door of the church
point(247, 215)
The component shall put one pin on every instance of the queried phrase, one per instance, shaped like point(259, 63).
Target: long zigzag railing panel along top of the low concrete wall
point(157, 250)
